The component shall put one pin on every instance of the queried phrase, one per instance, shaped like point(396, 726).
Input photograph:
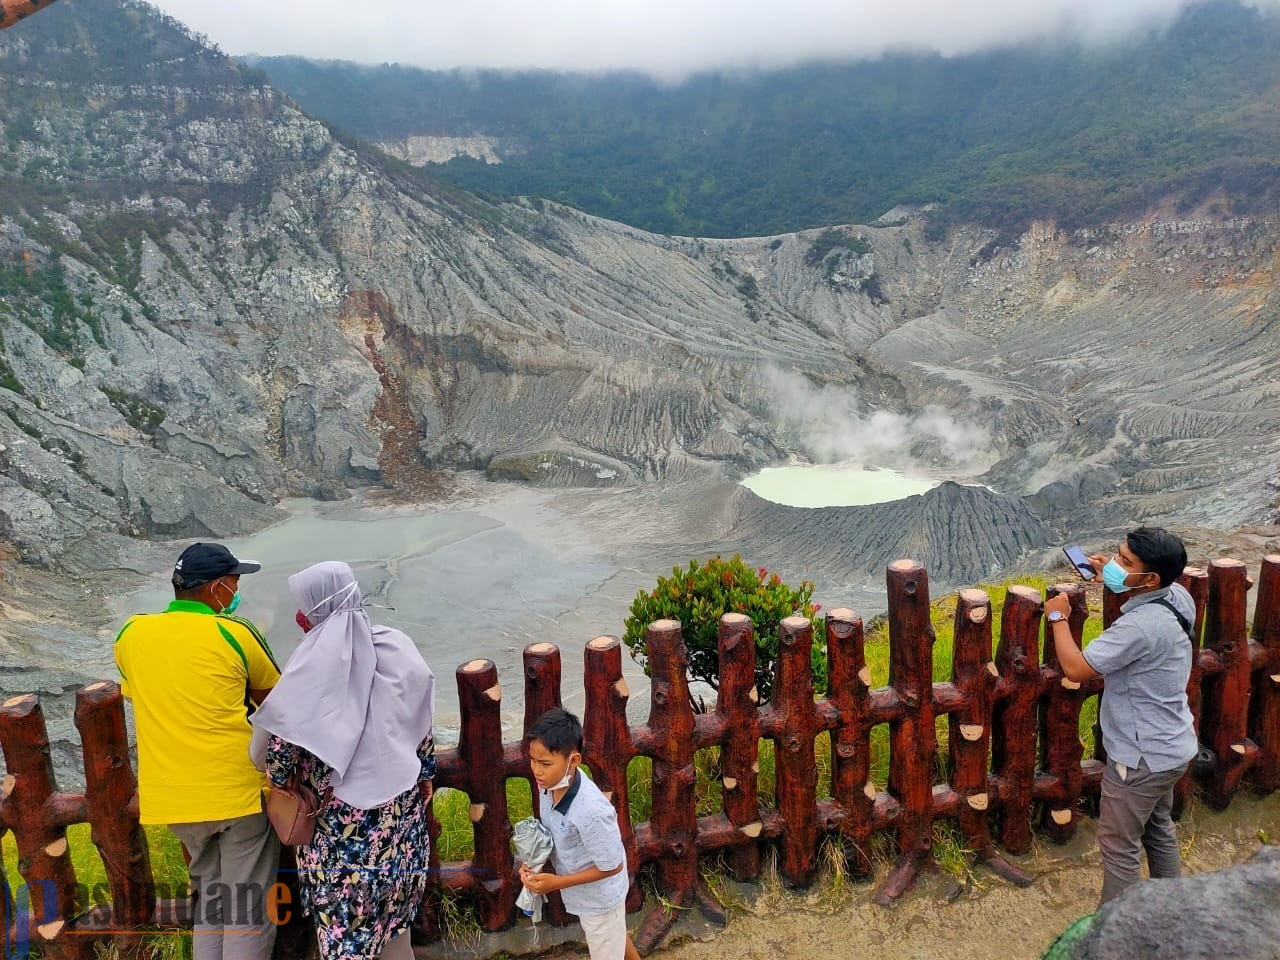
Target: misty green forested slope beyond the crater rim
point(996, 138)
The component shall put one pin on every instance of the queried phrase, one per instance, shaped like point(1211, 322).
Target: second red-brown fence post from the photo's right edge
point(1224, 717)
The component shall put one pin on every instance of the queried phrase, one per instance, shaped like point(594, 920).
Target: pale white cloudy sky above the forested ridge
point(664, 38)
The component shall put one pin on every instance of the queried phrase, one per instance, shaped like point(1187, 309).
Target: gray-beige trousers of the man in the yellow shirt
point(234, 866)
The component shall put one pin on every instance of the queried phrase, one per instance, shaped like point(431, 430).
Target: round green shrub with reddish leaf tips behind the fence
point(702, 593)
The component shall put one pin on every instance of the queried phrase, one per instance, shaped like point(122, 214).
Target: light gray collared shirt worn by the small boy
point(586, 834)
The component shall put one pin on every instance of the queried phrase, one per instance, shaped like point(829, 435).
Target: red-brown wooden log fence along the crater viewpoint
point(1014, 755)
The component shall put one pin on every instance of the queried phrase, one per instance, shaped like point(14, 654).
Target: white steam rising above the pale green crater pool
point(833, 428)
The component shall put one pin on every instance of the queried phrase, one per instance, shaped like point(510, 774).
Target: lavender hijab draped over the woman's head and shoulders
point(356, 696)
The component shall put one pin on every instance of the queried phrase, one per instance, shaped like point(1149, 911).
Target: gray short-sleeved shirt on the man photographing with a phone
point(1146, 660)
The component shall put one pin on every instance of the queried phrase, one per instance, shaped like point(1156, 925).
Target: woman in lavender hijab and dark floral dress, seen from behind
point(353, 715)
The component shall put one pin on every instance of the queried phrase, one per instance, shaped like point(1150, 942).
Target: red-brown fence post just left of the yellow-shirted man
point(112, 794)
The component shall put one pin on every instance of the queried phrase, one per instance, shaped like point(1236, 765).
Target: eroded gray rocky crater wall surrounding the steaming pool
point(211, 301)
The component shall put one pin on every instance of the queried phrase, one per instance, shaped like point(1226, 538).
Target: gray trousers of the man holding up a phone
point(1137, 815)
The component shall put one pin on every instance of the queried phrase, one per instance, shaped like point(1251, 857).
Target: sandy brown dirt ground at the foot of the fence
point(991, 918)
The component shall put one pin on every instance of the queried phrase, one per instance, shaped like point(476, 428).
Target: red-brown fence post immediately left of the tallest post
point(849, 693)
